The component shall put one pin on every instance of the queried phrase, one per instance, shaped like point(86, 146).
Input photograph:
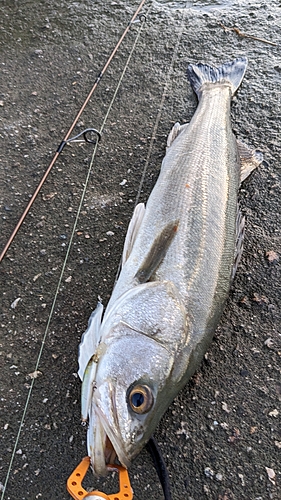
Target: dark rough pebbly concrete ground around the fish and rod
point(221, 436)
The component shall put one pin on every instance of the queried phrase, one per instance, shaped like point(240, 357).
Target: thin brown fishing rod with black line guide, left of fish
point(67, 136)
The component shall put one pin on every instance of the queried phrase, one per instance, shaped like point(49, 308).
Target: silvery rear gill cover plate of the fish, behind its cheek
point(154, 309)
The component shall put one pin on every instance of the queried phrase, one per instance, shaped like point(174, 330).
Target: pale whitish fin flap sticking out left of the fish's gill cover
point(90, 340)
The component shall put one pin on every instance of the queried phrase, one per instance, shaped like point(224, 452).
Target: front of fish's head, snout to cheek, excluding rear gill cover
point(128, 399)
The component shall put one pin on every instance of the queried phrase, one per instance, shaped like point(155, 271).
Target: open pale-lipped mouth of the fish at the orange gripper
point(103, 444)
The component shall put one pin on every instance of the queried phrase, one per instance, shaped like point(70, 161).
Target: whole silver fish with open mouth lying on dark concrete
point(180, 255)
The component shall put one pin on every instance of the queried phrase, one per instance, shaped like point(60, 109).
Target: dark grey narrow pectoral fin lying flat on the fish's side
point(157, 252)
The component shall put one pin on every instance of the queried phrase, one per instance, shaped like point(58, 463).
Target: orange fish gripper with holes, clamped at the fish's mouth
point(76, 490)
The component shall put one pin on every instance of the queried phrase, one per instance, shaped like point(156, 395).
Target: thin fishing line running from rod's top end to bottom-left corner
point(66, 258)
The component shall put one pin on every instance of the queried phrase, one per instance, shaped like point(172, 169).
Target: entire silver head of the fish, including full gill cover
point(135, 371)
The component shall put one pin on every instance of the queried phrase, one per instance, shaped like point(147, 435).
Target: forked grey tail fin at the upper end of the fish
point(231, 72)
